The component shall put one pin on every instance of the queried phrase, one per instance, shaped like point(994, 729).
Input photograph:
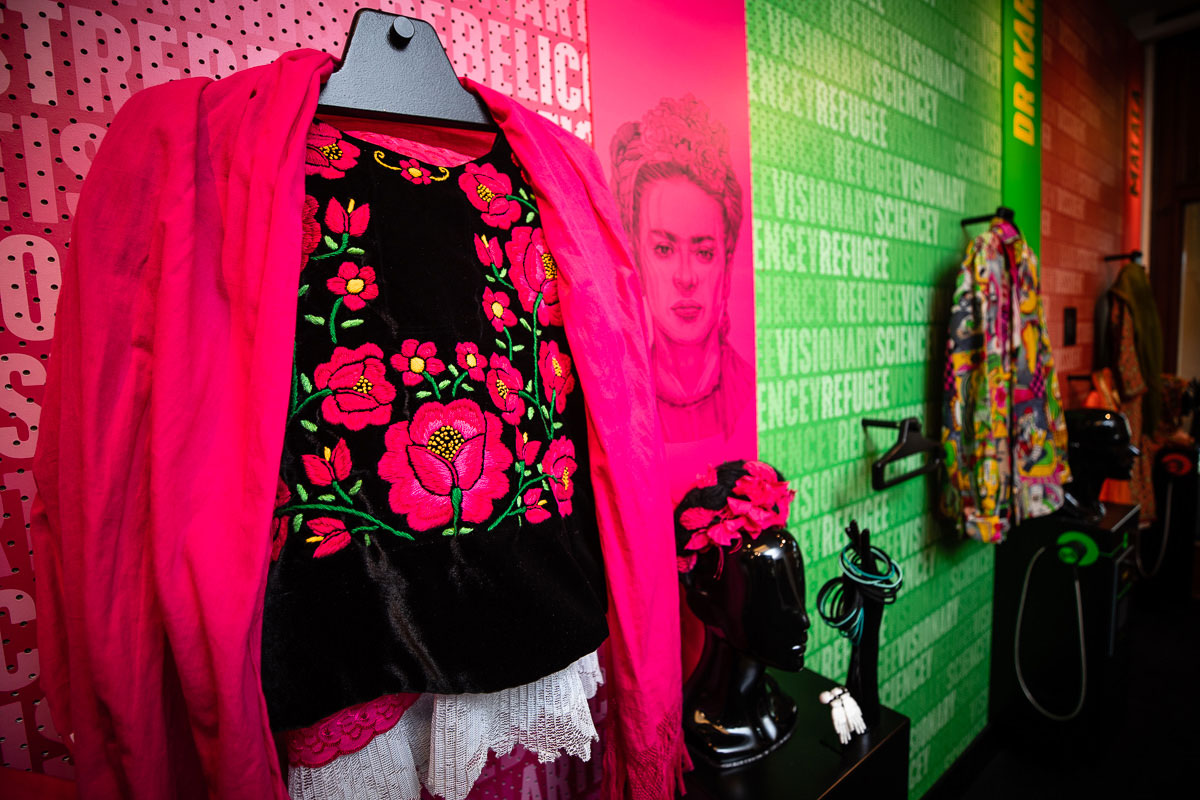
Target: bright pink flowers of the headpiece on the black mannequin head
point(761, 500)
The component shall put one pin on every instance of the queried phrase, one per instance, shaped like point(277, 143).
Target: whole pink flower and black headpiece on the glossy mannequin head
point(728, 506)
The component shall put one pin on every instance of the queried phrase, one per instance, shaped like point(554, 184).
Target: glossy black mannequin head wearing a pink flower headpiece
point(745, 580)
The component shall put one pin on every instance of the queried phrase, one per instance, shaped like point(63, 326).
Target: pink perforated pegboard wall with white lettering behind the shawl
point(68, 68)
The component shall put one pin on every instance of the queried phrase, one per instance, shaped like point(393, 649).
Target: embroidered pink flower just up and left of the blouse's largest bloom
point(359, 394)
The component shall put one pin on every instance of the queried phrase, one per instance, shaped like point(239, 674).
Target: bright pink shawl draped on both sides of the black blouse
point(164, 423)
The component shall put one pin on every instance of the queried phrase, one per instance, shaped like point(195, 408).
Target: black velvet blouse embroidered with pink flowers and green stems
point(435, 524)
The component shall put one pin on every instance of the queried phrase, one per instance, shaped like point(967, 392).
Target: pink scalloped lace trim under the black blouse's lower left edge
point(346, 732)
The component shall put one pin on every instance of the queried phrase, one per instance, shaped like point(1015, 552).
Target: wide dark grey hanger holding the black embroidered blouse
point(395, 68)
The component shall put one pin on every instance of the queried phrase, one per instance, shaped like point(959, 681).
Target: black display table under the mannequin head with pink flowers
point(813, 763)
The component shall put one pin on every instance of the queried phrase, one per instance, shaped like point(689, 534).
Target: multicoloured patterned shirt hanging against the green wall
point(1003, 423)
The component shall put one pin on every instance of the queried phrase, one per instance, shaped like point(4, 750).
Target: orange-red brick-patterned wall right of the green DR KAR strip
point(1084, 82)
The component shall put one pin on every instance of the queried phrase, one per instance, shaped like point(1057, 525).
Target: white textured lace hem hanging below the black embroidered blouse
point(443, 741)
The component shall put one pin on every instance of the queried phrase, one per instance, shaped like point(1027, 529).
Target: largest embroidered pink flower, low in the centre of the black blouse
point(447, 462)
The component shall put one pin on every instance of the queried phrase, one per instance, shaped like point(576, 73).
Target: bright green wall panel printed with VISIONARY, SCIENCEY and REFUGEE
point(875, 128)
